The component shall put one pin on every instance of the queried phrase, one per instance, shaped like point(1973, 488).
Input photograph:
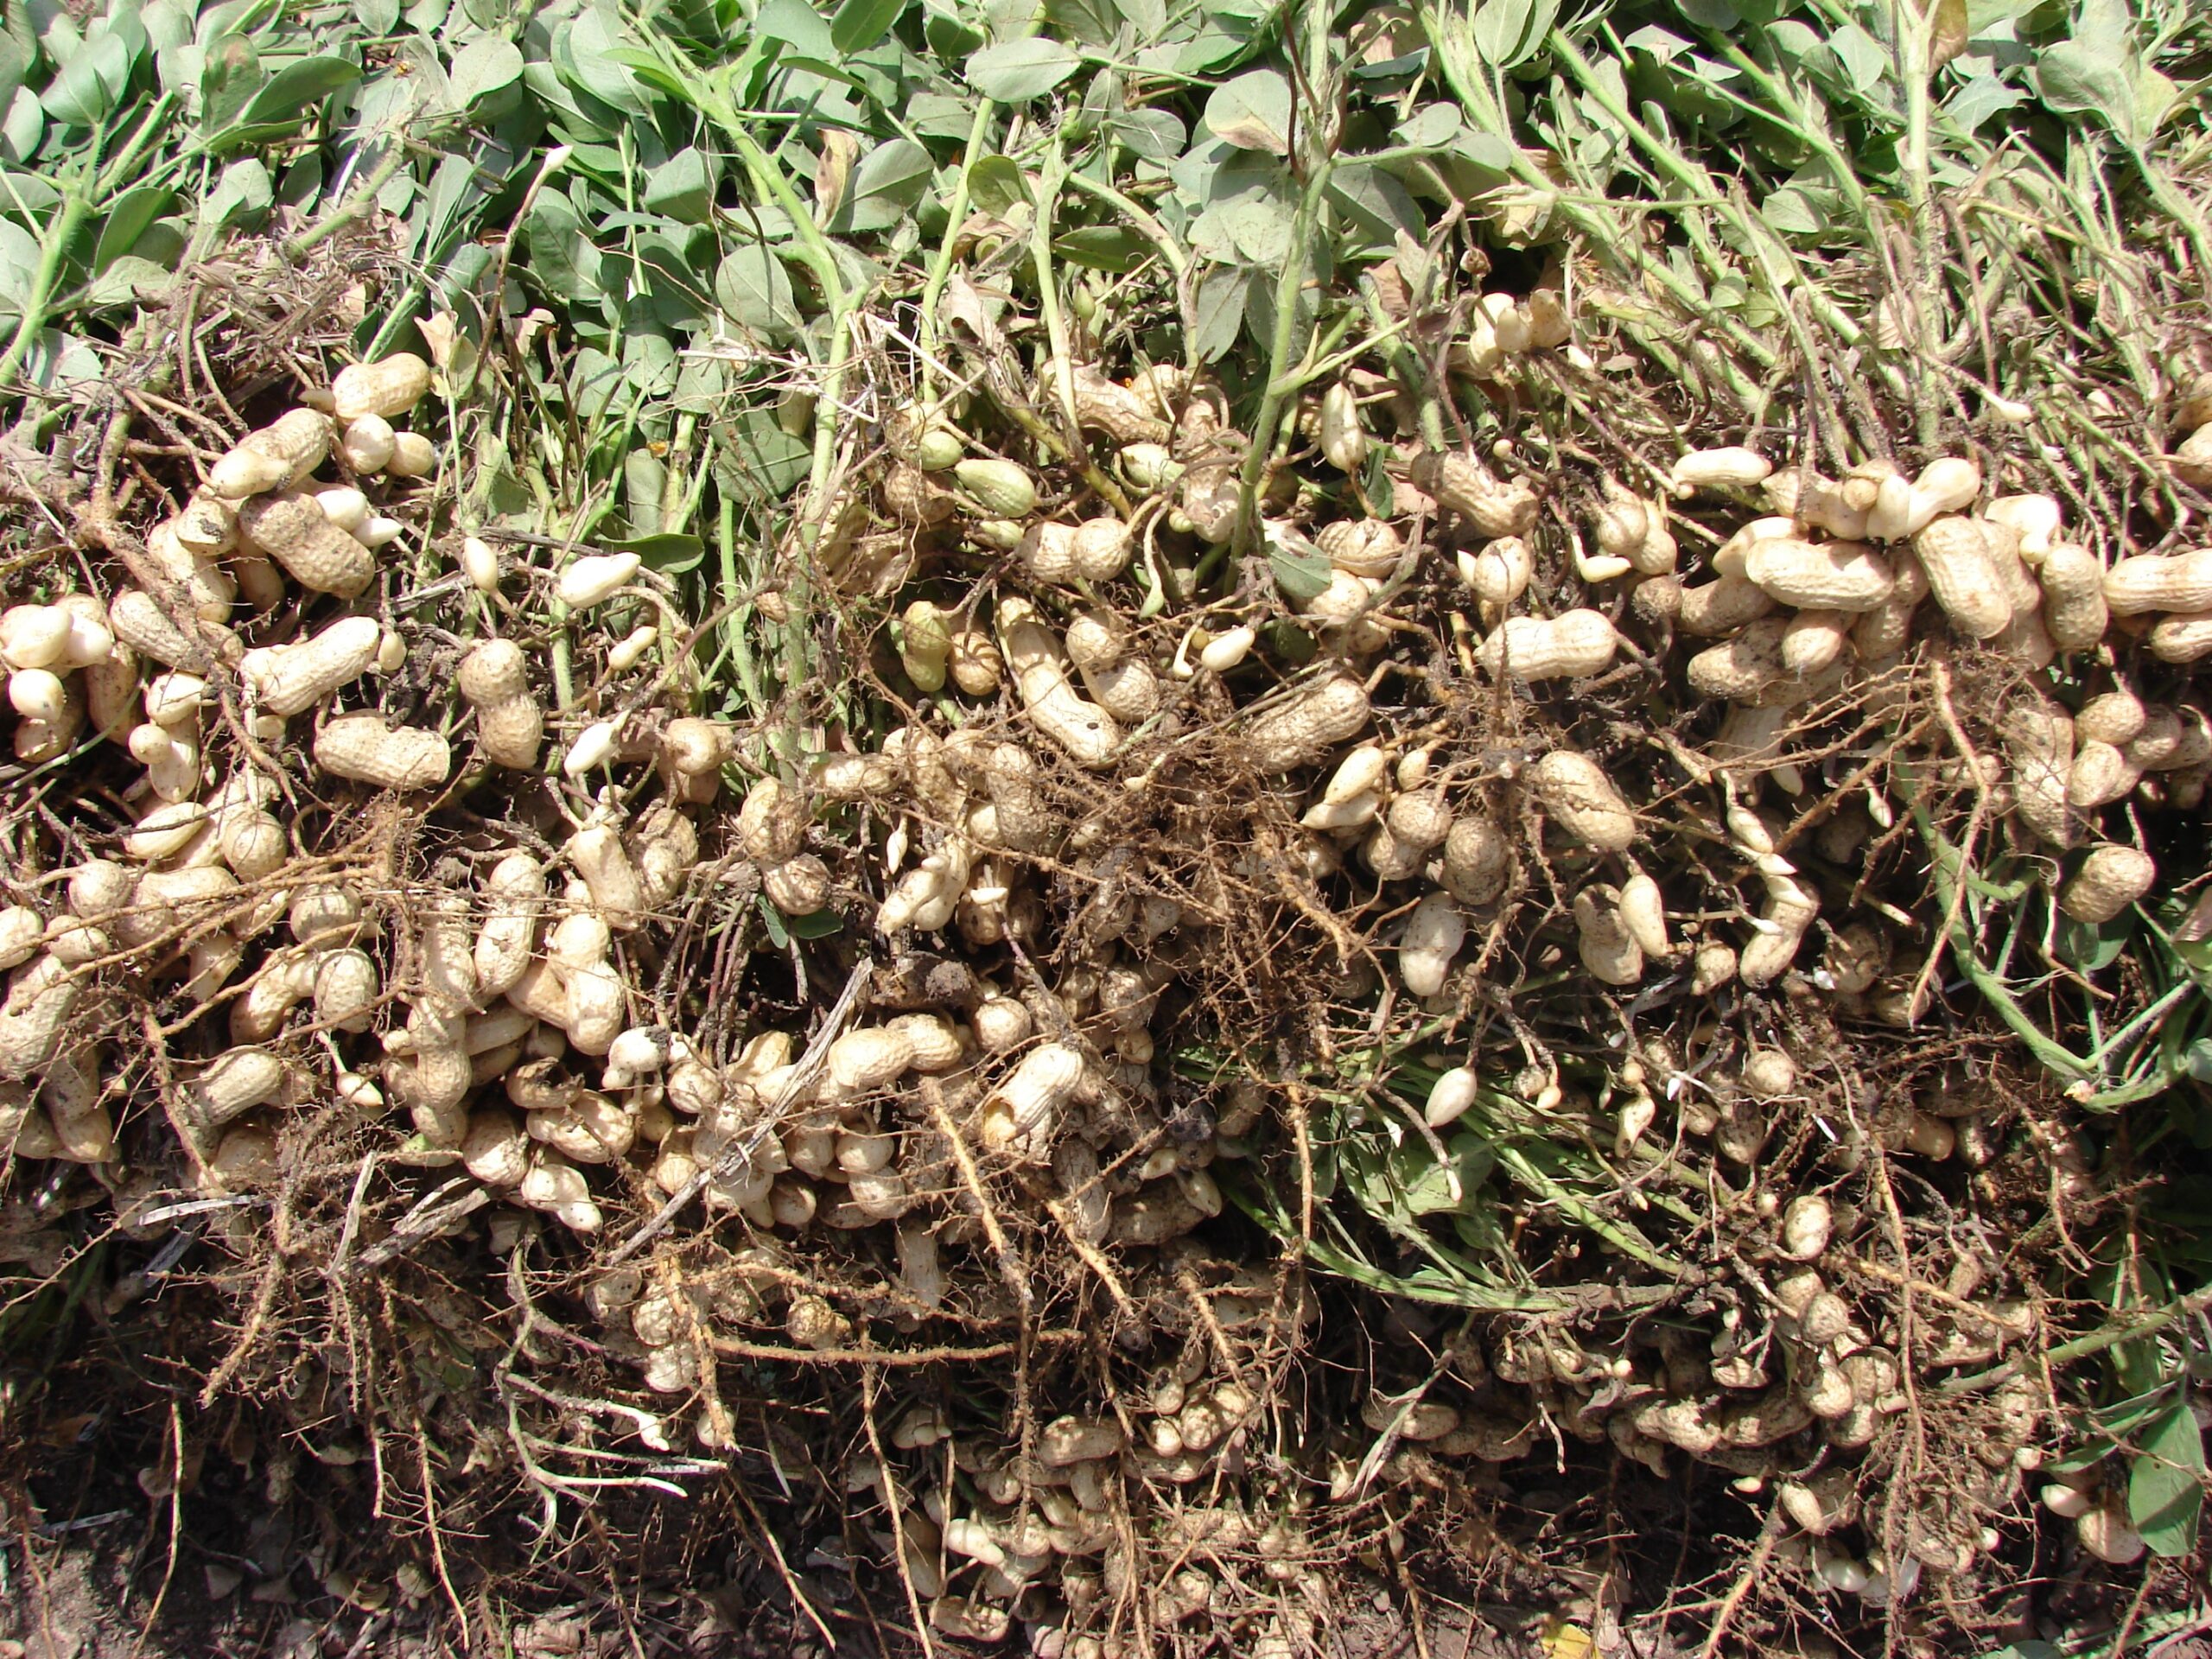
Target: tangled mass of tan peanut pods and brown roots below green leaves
point(1258, 970)
